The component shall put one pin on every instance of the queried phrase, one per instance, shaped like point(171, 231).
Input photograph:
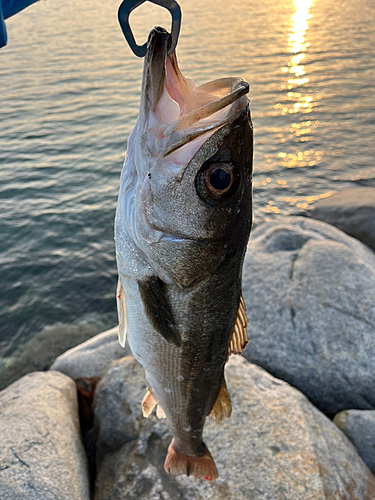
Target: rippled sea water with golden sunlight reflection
point(69, 97)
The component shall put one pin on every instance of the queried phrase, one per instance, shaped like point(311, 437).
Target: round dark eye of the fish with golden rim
point(217, 182)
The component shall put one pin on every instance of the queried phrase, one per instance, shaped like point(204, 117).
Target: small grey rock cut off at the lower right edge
point(359, 426)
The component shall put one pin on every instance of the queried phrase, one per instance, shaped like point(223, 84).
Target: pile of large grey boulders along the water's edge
point(77, 432)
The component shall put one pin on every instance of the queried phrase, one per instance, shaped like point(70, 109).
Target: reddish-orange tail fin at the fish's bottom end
point(200, 467)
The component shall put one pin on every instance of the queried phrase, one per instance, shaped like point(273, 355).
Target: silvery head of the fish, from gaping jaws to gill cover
point(188, 170)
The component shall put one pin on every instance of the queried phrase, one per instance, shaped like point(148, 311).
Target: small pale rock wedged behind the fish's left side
point(91, 358)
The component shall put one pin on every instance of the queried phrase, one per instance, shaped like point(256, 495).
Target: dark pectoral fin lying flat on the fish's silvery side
point(158, 310)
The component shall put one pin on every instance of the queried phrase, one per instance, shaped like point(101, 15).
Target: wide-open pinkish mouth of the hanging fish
point(175, 110)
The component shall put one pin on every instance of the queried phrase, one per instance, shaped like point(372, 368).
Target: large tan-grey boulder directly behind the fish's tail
point(275, 446)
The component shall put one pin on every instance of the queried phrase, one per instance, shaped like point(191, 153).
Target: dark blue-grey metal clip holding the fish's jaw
point(128, 6)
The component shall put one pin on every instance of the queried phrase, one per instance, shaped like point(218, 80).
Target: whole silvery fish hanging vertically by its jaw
point(182, 224)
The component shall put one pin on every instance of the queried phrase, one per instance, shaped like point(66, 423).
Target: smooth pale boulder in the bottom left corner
point(41, 452)
